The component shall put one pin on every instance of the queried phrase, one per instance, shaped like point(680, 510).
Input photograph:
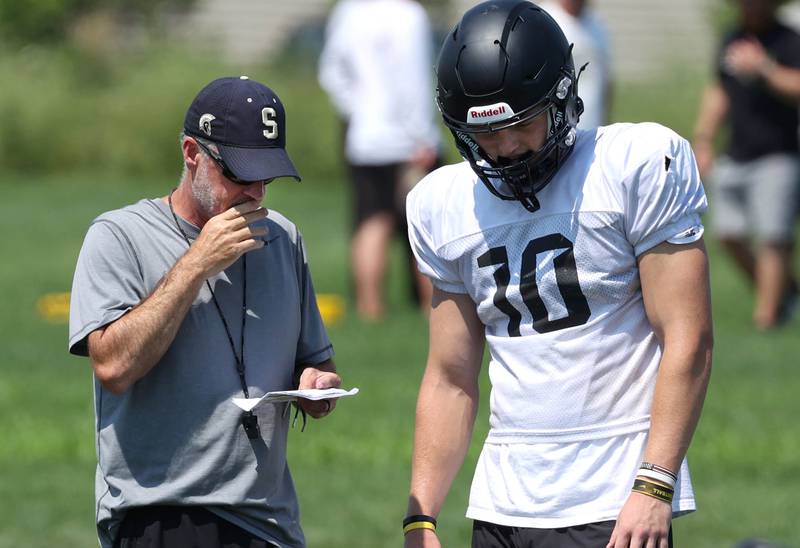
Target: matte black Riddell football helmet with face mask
point(504, 63)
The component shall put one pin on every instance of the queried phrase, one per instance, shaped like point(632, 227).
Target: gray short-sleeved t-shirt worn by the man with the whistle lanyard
point(174, 437)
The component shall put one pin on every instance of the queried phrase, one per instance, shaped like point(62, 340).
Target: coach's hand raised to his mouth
point(228, 236)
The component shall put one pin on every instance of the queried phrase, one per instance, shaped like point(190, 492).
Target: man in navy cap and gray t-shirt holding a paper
point(182, 303)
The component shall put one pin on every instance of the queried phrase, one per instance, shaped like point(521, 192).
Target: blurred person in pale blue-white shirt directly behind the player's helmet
point(592, 45)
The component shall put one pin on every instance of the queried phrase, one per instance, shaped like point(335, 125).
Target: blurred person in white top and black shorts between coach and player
point(377, 68)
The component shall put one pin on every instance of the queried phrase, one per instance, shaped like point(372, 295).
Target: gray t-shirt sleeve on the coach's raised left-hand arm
point(107, 283)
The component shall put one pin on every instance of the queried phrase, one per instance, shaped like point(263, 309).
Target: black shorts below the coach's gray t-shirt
point(182, 527)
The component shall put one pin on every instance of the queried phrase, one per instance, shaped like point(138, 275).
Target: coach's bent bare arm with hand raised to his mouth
point(125, 350)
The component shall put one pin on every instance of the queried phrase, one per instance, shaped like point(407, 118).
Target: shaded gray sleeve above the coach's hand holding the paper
point(313, 345)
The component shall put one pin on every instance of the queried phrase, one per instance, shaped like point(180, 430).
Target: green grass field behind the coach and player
point(352, 469)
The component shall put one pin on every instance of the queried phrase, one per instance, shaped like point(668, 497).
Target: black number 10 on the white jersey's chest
point(566, 277)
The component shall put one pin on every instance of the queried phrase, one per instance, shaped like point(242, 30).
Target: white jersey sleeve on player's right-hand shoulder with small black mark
point(664, 195)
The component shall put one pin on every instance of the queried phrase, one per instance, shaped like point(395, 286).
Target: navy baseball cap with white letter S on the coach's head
point(247, 122)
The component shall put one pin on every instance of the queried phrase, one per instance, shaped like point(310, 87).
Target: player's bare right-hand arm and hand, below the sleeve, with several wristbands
point(677, 300)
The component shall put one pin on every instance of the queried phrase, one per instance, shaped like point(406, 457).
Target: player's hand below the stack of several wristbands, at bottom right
point(643, 522)
